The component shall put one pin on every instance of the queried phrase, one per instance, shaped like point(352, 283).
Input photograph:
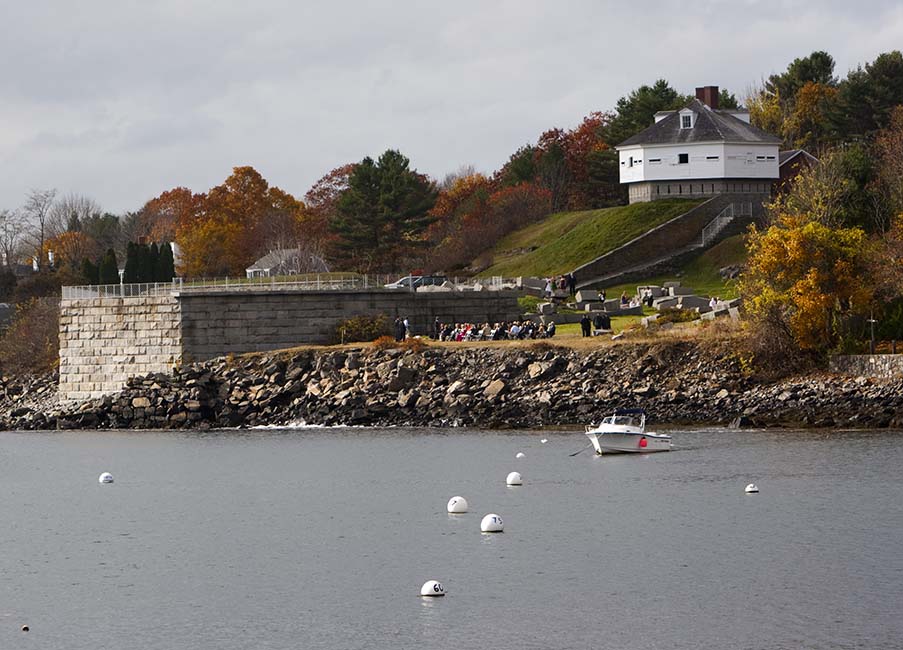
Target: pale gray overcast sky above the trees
point(120, 100)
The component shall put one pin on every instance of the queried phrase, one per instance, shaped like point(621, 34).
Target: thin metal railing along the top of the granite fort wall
point(312, 282)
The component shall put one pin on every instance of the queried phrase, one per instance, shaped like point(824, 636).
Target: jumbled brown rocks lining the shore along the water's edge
point(492, 387)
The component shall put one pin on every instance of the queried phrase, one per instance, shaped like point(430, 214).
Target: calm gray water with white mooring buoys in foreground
point(321, 539)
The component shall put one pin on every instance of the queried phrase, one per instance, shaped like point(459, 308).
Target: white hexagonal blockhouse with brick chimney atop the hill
point(699, 151)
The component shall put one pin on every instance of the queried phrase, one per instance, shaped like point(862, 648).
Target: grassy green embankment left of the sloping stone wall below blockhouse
point(563, 241)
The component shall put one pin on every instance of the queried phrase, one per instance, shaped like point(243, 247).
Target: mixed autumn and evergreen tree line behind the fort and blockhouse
point(382, 215)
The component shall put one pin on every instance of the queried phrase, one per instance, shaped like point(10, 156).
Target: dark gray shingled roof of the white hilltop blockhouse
point(710, 126)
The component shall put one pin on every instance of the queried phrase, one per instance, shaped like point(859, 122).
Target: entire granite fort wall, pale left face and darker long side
point(104, 341)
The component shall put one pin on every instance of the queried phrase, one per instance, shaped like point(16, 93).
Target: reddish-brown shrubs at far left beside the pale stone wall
point(31, 345)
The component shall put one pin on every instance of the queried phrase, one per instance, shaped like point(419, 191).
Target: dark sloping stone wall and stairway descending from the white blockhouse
point(669, 243)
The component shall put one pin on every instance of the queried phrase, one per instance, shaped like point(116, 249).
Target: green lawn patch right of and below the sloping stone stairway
point(700, 273)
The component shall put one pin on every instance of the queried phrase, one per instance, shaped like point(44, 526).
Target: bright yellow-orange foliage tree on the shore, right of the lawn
point(804, 277)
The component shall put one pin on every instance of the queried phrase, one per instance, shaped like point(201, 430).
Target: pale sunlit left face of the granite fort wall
point(104, 341)
